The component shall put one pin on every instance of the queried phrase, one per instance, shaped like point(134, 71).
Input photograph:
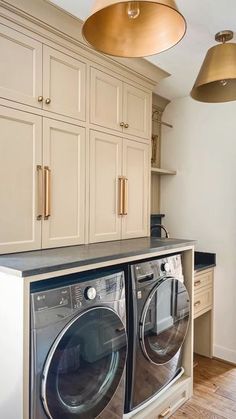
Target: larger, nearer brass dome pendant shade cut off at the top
point(134, 28)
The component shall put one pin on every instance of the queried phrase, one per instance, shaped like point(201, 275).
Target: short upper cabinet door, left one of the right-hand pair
point(105, 100)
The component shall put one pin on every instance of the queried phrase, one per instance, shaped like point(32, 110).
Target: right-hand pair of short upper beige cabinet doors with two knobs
point(120, 106)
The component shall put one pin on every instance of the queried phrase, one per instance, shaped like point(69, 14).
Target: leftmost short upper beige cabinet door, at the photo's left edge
point(21, 67)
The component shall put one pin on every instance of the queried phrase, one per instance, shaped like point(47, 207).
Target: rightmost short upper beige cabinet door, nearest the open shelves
point(137, 111)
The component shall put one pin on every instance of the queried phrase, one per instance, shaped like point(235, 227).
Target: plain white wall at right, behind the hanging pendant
point(200, 202)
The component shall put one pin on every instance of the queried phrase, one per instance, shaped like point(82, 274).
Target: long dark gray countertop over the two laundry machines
point(44, 261)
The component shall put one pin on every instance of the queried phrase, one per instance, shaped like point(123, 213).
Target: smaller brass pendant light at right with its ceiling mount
point(216, 81)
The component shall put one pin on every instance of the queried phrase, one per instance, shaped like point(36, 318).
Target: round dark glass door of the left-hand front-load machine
point(85, 365)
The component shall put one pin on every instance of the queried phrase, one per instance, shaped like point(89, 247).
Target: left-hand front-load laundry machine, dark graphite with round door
point(78, 348)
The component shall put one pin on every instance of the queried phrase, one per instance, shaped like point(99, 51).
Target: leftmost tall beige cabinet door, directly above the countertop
point(20, 153)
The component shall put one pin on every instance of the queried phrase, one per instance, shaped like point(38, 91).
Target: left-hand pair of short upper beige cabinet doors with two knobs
point(40, 76)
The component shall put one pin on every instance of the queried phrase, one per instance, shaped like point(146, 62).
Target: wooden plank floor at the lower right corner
point(214, 392)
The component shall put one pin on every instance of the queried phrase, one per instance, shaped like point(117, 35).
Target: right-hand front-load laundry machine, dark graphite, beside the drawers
point(159, 312)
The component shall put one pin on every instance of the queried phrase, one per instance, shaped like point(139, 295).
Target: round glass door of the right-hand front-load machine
point(164, 321)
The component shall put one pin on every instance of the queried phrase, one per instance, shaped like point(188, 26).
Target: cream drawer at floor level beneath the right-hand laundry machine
point(167, 407)
